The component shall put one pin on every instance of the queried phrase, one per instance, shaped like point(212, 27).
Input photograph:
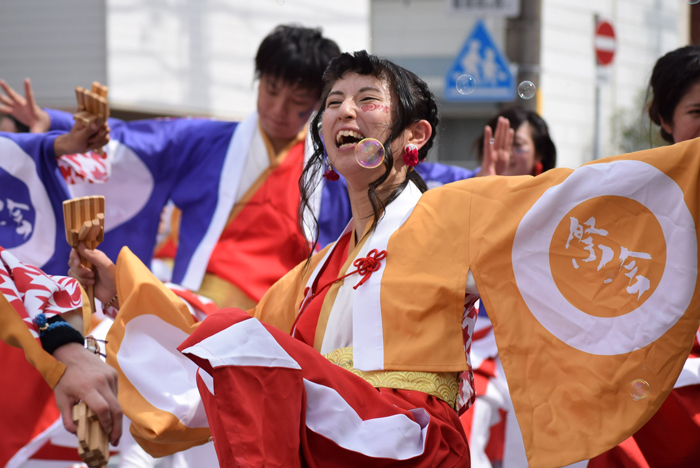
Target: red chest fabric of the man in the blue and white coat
point(264, 241)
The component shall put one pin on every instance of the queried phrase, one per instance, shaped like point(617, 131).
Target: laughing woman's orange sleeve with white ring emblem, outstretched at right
point(558, 391)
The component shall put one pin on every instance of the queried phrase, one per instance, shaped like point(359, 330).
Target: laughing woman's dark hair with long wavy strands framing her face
point(414, 102)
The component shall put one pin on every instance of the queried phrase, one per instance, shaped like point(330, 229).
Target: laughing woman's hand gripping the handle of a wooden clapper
point(103, 277)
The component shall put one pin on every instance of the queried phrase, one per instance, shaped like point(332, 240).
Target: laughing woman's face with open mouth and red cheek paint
point(357, 107)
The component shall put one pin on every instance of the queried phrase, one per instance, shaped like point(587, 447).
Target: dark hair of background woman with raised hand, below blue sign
point(544, 146)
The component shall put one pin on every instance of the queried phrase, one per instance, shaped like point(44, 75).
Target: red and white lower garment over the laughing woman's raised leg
point(324, 415)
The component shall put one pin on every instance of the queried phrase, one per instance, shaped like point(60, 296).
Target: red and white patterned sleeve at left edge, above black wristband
point(31, 292)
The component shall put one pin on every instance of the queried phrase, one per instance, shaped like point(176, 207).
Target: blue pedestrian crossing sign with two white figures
point(481, 59)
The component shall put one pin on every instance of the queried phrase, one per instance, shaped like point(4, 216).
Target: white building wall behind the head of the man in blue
point(196, 56)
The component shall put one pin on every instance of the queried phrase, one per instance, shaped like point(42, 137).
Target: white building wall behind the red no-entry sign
point(645, 30)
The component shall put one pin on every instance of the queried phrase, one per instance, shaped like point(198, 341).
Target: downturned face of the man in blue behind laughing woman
point(284, 109)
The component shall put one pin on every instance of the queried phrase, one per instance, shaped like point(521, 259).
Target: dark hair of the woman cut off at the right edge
point(673, 75)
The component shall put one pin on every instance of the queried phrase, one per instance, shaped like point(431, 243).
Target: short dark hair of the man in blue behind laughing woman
point(295, 54)
